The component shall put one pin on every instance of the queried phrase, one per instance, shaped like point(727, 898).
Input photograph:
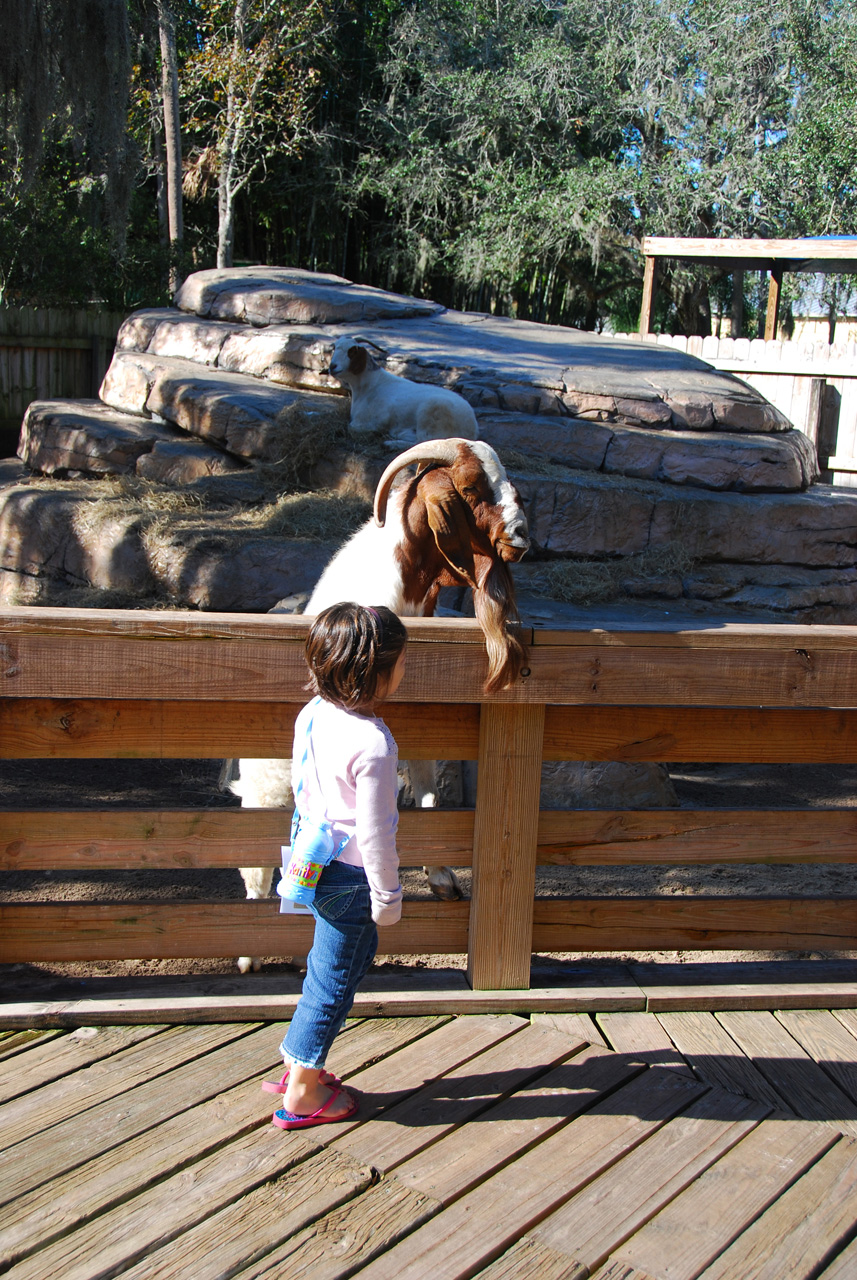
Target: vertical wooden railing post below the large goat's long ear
point(505, 847)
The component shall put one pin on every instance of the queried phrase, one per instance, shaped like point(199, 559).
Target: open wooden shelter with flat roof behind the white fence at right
point(818, 254)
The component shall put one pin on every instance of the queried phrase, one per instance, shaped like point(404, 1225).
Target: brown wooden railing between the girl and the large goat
point(97, 684)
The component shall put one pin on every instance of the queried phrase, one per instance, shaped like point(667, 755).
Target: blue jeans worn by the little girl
point(343, 949)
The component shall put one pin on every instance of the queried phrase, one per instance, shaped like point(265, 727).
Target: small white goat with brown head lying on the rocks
point(410, 413)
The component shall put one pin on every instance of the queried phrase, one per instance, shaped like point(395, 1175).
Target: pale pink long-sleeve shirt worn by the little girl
point(351, 781)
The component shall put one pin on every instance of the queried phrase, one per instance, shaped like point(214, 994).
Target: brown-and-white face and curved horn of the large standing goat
point(470, 500)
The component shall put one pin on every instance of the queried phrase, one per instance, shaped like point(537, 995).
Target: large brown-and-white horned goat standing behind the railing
point(459, 522)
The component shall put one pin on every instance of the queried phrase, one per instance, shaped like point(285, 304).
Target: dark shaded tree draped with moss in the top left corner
point(66, 162)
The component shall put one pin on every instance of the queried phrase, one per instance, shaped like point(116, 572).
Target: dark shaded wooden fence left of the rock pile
point(48, 354)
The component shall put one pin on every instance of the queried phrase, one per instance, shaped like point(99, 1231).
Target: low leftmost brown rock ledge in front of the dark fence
point(72, 438)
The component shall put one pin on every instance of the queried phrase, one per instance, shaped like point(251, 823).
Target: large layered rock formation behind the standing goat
point(624, 451)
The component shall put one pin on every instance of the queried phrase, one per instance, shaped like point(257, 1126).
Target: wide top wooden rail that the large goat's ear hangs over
point(213, 659)
